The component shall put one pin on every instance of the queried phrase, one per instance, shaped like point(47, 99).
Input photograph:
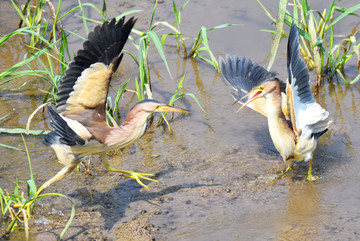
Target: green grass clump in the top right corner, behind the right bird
point(316, 29)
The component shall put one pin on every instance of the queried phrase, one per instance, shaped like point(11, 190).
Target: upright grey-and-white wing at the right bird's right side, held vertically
point(306, 115)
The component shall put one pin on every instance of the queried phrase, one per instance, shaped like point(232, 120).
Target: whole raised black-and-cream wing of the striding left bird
point(86, 81)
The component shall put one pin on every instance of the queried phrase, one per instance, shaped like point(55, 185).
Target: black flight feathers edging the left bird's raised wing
point(104, 45)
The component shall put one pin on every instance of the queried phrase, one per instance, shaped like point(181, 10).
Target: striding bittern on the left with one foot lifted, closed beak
point(79, 118)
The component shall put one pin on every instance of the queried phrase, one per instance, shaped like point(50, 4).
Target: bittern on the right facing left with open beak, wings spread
point(295, 120)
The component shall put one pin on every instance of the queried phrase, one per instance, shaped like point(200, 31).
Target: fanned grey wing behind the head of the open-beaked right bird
point(243, 75)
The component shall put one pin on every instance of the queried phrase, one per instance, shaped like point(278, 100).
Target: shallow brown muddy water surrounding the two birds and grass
point(212, 167)
